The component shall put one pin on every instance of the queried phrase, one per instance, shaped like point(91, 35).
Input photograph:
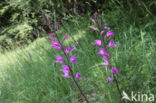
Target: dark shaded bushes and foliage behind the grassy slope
point(21, 21)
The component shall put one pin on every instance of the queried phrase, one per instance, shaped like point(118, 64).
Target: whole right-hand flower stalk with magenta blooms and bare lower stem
point(104, 51)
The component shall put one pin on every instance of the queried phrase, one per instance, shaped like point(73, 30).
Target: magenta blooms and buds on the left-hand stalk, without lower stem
point(57, 45)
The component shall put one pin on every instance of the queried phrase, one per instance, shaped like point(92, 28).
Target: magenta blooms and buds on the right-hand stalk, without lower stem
point(105, 33)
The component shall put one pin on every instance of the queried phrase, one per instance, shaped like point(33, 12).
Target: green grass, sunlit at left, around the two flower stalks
point(28, 75)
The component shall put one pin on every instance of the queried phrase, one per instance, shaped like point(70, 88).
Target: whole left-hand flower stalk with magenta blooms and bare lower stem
point(67, 69)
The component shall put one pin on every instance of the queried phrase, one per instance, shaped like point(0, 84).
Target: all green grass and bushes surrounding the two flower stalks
point(28, 75)
